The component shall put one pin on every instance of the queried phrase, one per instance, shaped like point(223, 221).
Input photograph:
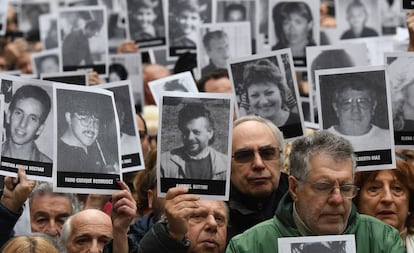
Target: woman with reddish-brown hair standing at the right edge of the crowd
point(388, 195)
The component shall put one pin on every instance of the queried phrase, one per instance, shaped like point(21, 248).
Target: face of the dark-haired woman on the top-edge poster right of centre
point(296, 28)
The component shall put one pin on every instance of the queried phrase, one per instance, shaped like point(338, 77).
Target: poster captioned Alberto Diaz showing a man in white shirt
point(355, 103)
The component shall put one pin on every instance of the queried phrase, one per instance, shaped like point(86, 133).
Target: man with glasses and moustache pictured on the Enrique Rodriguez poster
point(78, 147)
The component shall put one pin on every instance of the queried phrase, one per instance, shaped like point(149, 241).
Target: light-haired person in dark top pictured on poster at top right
point(357, 15)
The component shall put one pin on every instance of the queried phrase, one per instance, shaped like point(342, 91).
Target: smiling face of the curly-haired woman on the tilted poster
point(265, 99)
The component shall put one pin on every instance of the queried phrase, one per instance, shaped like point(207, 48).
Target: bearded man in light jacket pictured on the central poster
point(196, 159)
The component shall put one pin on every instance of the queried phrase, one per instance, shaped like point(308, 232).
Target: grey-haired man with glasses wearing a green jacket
point(319, 202)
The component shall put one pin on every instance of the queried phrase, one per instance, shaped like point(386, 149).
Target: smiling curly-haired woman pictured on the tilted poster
point(268, 95)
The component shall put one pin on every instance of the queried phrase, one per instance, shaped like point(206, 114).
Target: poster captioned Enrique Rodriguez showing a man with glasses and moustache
point(87, 146)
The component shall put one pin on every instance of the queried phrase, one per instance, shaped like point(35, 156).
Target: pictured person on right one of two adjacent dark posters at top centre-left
point(187, 20)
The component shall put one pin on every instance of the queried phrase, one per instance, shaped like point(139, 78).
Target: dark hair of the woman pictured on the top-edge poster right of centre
point(282, 11)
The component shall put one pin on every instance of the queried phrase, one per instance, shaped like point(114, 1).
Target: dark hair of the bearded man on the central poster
point(193, 111)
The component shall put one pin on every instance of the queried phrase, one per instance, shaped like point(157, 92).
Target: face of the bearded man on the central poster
point(196, 135)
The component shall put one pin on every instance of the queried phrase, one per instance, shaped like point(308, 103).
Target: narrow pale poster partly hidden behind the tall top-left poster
point(48, 31)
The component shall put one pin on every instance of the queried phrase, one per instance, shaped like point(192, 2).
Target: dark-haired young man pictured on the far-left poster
point(25, 121)
